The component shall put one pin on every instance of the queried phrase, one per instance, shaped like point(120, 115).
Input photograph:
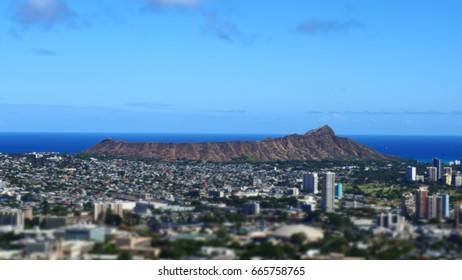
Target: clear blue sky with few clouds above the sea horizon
point(231, 66)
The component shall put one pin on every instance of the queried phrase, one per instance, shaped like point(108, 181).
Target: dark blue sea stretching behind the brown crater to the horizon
point(421, 148)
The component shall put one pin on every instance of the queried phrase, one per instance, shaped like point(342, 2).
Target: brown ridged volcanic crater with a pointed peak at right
point(317, 144)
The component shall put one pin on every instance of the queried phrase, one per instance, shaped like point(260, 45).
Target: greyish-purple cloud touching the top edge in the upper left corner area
point(42, 13)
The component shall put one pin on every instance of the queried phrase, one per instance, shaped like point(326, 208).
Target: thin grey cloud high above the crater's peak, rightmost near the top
point(315, 26)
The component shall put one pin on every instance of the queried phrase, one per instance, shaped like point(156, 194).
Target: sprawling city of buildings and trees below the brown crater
point(56, 206)
